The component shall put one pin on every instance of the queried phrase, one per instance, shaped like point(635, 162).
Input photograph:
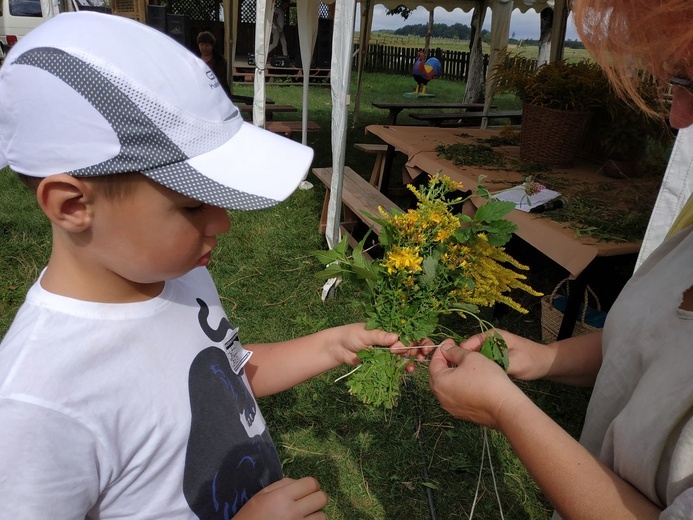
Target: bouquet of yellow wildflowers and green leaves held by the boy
point(435, 262)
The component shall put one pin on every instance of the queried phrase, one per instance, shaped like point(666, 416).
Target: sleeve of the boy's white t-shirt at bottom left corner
point(49, 463)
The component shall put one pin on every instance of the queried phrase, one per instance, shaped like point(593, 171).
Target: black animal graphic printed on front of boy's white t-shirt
point(230, 455)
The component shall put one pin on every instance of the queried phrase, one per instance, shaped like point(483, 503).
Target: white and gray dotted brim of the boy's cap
point(254, 169)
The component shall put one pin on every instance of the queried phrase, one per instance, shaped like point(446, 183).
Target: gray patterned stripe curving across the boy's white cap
point(144, 146)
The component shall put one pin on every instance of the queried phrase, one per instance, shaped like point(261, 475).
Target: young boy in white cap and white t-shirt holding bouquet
point(124, 390)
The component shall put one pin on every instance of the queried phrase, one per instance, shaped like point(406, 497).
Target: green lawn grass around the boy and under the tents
point(374, 464)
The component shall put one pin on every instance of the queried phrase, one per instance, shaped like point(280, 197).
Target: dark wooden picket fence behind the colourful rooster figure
point(400, 60)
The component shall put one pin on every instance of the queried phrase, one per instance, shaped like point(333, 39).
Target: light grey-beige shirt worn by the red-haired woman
point(639, 420)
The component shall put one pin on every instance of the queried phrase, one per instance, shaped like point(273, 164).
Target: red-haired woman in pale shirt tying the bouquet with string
point(635, 455)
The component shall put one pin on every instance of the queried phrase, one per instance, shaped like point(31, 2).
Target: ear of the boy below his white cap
point(66, 201)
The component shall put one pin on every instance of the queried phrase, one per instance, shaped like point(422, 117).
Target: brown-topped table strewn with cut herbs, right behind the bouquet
point(576, 254)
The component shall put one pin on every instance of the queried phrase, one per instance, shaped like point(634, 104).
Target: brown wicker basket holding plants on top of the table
point(551, 136)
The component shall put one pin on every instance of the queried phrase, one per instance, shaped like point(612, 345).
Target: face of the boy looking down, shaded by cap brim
point(153, 233)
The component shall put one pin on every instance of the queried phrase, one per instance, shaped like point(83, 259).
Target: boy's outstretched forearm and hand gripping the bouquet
point(274, 367)
